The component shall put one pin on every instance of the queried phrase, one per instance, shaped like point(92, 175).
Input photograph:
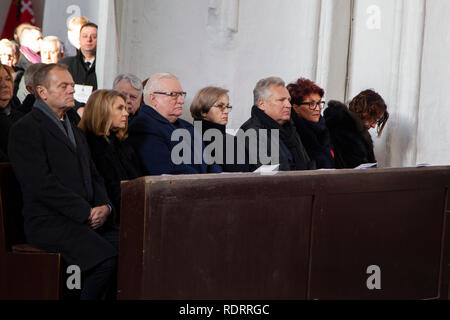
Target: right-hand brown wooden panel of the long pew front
point(399, 231)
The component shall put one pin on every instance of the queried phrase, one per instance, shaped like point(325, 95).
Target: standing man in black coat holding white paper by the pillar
point(82, 66)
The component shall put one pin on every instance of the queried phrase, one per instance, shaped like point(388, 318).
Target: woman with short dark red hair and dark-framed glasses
point(307, 104)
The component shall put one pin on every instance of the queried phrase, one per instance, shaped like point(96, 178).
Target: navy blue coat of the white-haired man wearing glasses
point(150, 135)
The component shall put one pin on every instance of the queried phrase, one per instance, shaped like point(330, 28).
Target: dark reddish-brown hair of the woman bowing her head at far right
point(370, 106)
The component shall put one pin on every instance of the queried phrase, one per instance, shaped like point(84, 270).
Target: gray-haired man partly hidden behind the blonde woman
point(131, 87)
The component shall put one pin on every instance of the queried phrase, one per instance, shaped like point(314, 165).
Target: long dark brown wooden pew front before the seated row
point(293, 235)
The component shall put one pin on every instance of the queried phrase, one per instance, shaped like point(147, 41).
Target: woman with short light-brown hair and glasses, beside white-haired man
point(211, 106)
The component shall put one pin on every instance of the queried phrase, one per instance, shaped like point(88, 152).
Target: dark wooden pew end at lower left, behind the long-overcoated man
point(25, 272)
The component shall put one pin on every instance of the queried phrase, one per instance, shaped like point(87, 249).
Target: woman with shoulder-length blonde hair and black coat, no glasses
point(105, 122)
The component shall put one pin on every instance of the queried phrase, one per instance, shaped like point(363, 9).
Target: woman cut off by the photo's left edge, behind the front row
point(9, 105)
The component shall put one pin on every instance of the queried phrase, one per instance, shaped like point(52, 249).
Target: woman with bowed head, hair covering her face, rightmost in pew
point(349, 128)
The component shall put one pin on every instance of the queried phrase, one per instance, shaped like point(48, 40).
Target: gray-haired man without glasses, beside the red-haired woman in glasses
point(271, 120)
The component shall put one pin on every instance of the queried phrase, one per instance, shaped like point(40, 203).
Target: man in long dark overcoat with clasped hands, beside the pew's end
point(65, 205)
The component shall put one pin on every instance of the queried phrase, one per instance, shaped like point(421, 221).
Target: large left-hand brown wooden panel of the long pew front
point(251, 244)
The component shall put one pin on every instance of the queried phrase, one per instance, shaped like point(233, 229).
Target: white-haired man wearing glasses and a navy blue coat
point(151, 131)
